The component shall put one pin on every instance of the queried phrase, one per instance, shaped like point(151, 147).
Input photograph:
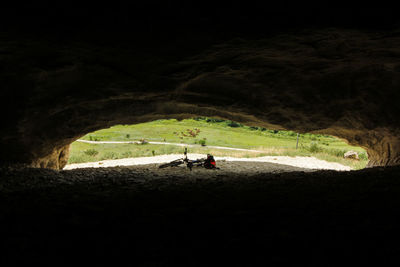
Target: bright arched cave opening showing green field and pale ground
point(164, 140)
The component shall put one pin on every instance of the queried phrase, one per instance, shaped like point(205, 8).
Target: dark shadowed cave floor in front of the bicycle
point(104, 217)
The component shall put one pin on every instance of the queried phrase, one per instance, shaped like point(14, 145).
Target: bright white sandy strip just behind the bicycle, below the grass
point(302, 162)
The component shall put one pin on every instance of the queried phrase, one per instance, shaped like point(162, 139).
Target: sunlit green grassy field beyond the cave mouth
point(211, 132)
